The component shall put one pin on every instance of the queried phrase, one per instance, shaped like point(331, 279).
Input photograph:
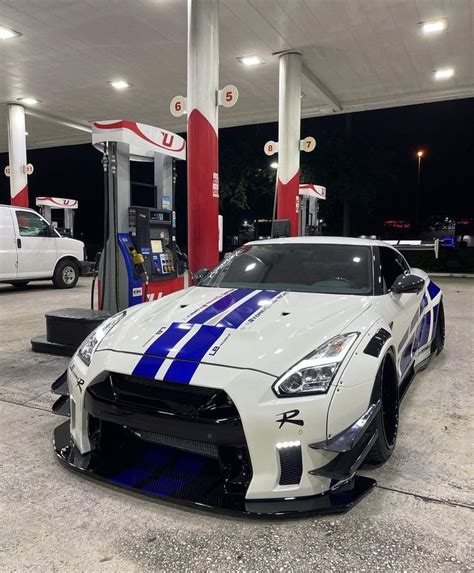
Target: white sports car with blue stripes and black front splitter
point(261, 390)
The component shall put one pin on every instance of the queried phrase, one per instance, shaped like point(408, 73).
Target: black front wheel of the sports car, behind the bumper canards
point(386, 421)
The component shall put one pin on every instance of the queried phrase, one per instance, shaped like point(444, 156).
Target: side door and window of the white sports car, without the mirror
point(400, 310)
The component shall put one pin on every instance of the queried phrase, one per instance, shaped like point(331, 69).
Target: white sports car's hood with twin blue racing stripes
point(267, 331)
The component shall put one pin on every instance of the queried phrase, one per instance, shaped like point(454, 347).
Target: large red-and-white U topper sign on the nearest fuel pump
point(144, 140)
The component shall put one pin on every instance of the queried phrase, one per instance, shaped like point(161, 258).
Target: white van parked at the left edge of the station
point(31, 249)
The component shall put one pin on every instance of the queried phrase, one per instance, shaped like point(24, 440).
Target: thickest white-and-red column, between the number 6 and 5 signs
point(202, 144)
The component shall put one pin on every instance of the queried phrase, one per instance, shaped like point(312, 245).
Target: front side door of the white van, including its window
point(36, 245)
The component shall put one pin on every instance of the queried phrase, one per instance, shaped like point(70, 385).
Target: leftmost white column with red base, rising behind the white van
point(17, 155)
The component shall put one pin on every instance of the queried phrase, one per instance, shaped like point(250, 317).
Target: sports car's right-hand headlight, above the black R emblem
point(314, 374)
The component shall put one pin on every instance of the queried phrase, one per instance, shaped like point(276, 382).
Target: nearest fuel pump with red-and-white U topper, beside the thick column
point(139, 261)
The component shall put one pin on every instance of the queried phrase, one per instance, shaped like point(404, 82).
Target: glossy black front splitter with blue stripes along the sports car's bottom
point(189, 479)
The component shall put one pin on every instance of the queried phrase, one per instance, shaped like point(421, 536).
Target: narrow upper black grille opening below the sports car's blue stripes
point(172, 398)
